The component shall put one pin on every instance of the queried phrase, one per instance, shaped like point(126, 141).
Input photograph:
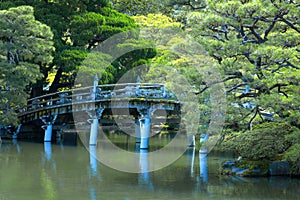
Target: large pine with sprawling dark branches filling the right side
point(257, 45)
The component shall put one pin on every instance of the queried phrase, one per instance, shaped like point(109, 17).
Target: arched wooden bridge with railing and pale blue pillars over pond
point(138, 99)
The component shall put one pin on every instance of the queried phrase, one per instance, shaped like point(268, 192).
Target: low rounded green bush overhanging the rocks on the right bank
point(267, 141)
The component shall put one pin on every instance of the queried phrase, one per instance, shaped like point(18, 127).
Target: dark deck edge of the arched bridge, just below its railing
point(117, 107)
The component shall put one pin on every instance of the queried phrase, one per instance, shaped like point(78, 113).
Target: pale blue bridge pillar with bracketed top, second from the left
point(94, 121)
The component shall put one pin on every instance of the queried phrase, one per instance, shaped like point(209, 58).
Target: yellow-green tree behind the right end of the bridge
point(179, 64)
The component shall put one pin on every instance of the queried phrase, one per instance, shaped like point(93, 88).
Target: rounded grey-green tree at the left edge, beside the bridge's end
point(25, 45)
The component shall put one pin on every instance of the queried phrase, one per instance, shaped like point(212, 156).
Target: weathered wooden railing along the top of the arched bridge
point(108, 91)
